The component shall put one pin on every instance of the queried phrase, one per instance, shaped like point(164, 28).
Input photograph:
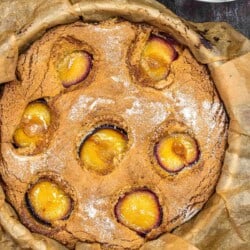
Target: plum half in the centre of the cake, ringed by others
point(101, 150)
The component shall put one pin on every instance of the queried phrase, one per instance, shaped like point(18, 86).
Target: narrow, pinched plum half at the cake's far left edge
point(34, 124)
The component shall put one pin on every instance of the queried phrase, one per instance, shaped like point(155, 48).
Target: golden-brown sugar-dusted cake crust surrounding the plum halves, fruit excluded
point(111, 94)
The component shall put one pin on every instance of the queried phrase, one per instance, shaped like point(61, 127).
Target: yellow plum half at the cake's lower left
point(48, 202)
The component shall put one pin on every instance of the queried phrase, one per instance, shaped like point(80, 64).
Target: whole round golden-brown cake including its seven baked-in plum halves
point(113, 133)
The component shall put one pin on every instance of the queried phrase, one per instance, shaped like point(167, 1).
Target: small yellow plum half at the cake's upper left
point(74, 68)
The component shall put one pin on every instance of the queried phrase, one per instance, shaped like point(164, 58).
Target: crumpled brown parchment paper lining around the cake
point(224, 223)
